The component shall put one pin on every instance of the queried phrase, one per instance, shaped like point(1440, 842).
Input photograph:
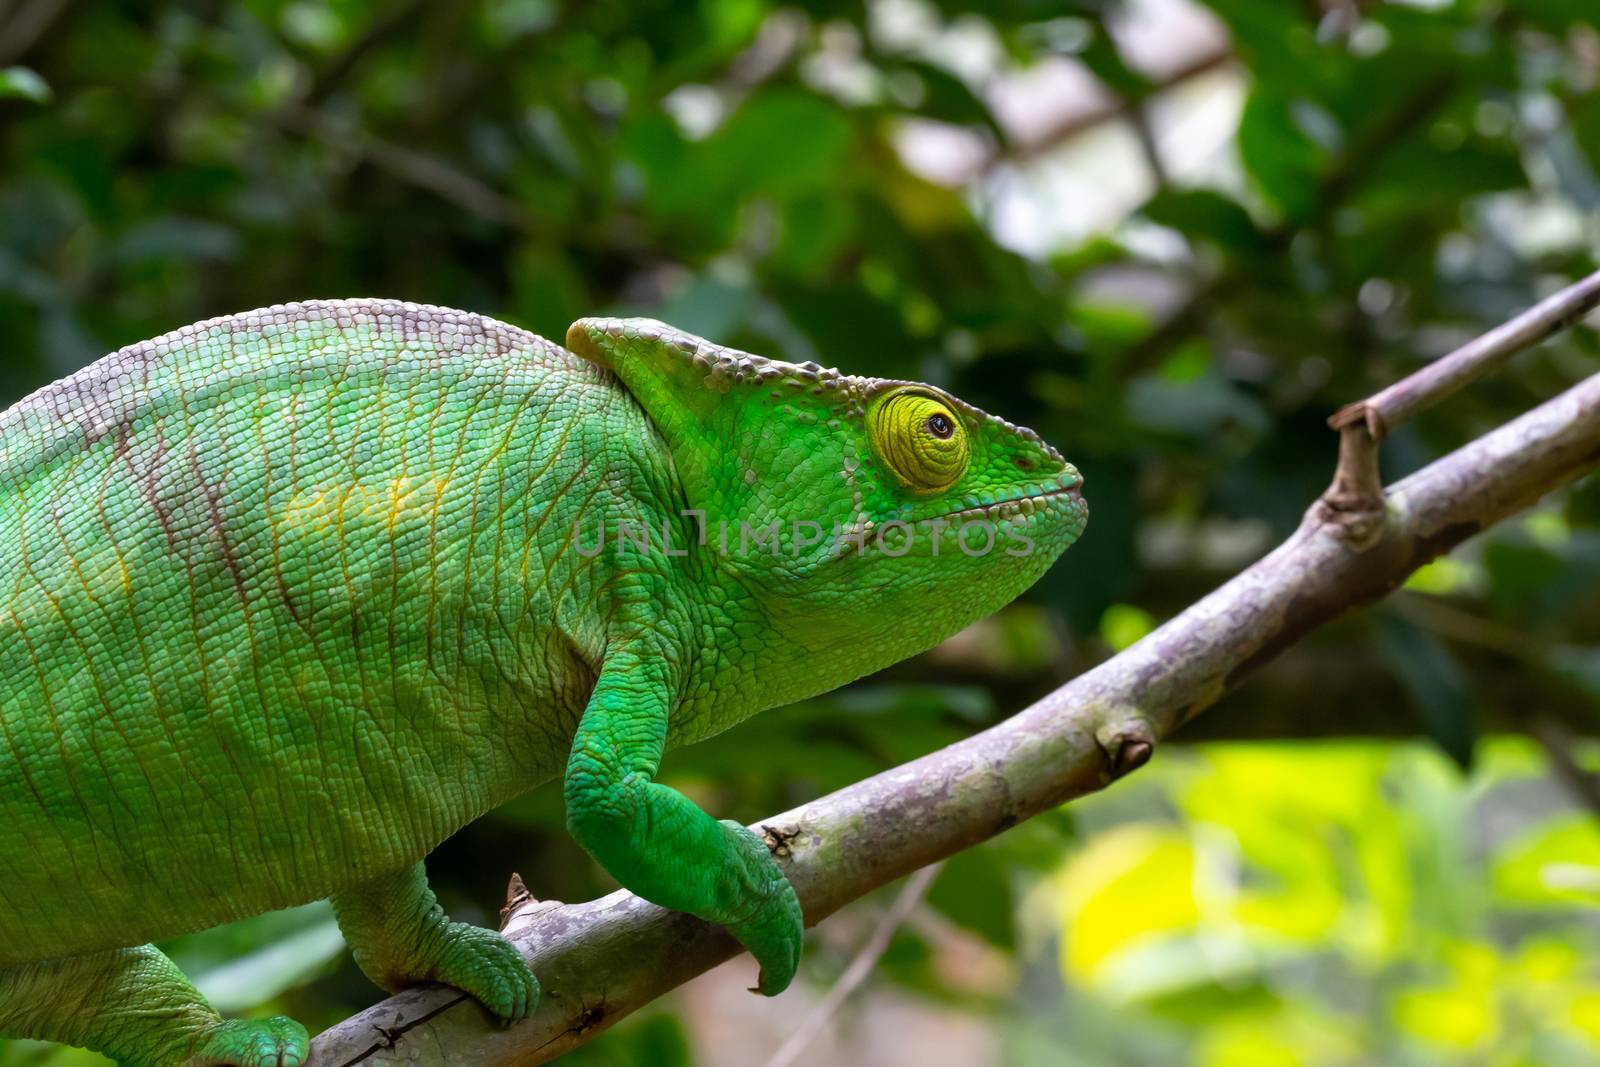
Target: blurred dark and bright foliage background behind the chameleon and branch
point(1174, 236)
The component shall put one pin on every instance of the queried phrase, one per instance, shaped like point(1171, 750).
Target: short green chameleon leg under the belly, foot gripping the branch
point(401, 937)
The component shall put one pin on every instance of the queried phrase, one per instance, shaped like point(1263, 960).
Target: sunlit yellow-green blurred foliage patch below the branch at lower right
point(1305, 898)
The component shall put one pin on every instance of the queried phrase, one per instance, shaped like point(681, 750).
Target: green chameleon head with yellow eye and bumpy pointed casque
point(871, 519)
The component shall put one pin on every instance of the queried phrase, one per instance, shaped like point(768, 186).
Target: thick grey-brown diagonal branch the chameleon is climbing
point(606, 959)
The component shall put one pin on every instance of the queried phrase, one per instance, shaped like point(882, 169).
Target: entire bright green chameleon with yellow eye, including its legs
point(289, 597)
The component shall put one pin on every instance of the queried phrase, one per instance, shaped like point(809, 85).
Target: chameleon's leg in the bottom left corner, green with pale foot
point(138, 1009)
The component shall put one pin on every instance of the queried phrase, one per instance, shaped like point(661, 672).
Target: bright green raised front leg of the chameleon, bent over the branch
point(655, 842)
